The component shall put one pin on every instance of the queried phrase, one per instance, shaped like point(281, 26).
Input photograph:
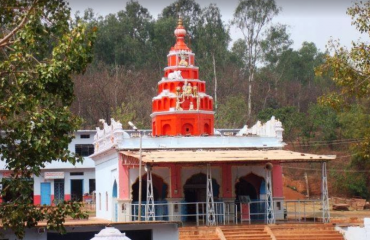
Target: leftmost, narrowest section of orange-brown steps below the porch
point(198, 233)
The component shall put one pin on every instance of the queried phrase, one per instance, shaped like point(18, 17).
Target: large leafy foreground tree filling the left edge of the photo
point(40, 48)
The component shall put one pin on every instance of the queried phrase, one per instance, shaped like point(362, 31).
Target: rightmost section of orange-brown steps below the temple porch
point(305, 232)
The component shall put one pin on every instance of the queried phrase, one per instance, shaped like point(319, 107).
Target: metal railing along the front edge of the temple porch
point(230, 212)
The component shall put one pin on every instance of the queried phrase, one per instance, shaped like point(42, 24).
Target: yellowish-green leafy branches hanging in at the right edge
point(350, 71)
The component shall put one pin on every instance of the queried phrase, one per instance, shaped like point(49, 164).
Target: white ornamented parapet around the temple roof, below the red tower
point(268, 135)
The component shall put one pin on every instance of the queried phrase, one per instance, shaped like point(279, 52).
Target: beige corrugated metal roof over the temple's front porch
point(201, 156)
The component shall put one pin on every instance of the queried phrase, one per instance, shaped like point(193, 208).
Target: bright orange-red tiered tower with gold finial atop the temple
point(182, 106)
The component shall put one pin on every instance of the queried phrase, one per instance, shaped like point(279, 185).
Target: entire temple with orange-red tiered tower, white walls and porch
point(184, 169)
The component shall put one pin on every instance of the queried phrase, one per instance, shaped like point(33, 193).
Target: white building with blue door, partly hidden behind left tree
point(60, 181)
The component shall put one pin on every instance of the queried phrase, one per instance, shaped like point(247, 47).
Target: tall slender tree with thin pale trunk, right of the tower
point(251, 16)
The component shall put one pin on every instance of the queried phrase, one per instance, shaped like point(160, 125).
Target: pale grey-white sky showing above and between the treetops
point(314, 21)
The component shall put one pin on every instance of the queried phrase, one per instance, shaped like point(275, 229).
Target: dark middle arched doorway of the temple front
point(195, 190)
